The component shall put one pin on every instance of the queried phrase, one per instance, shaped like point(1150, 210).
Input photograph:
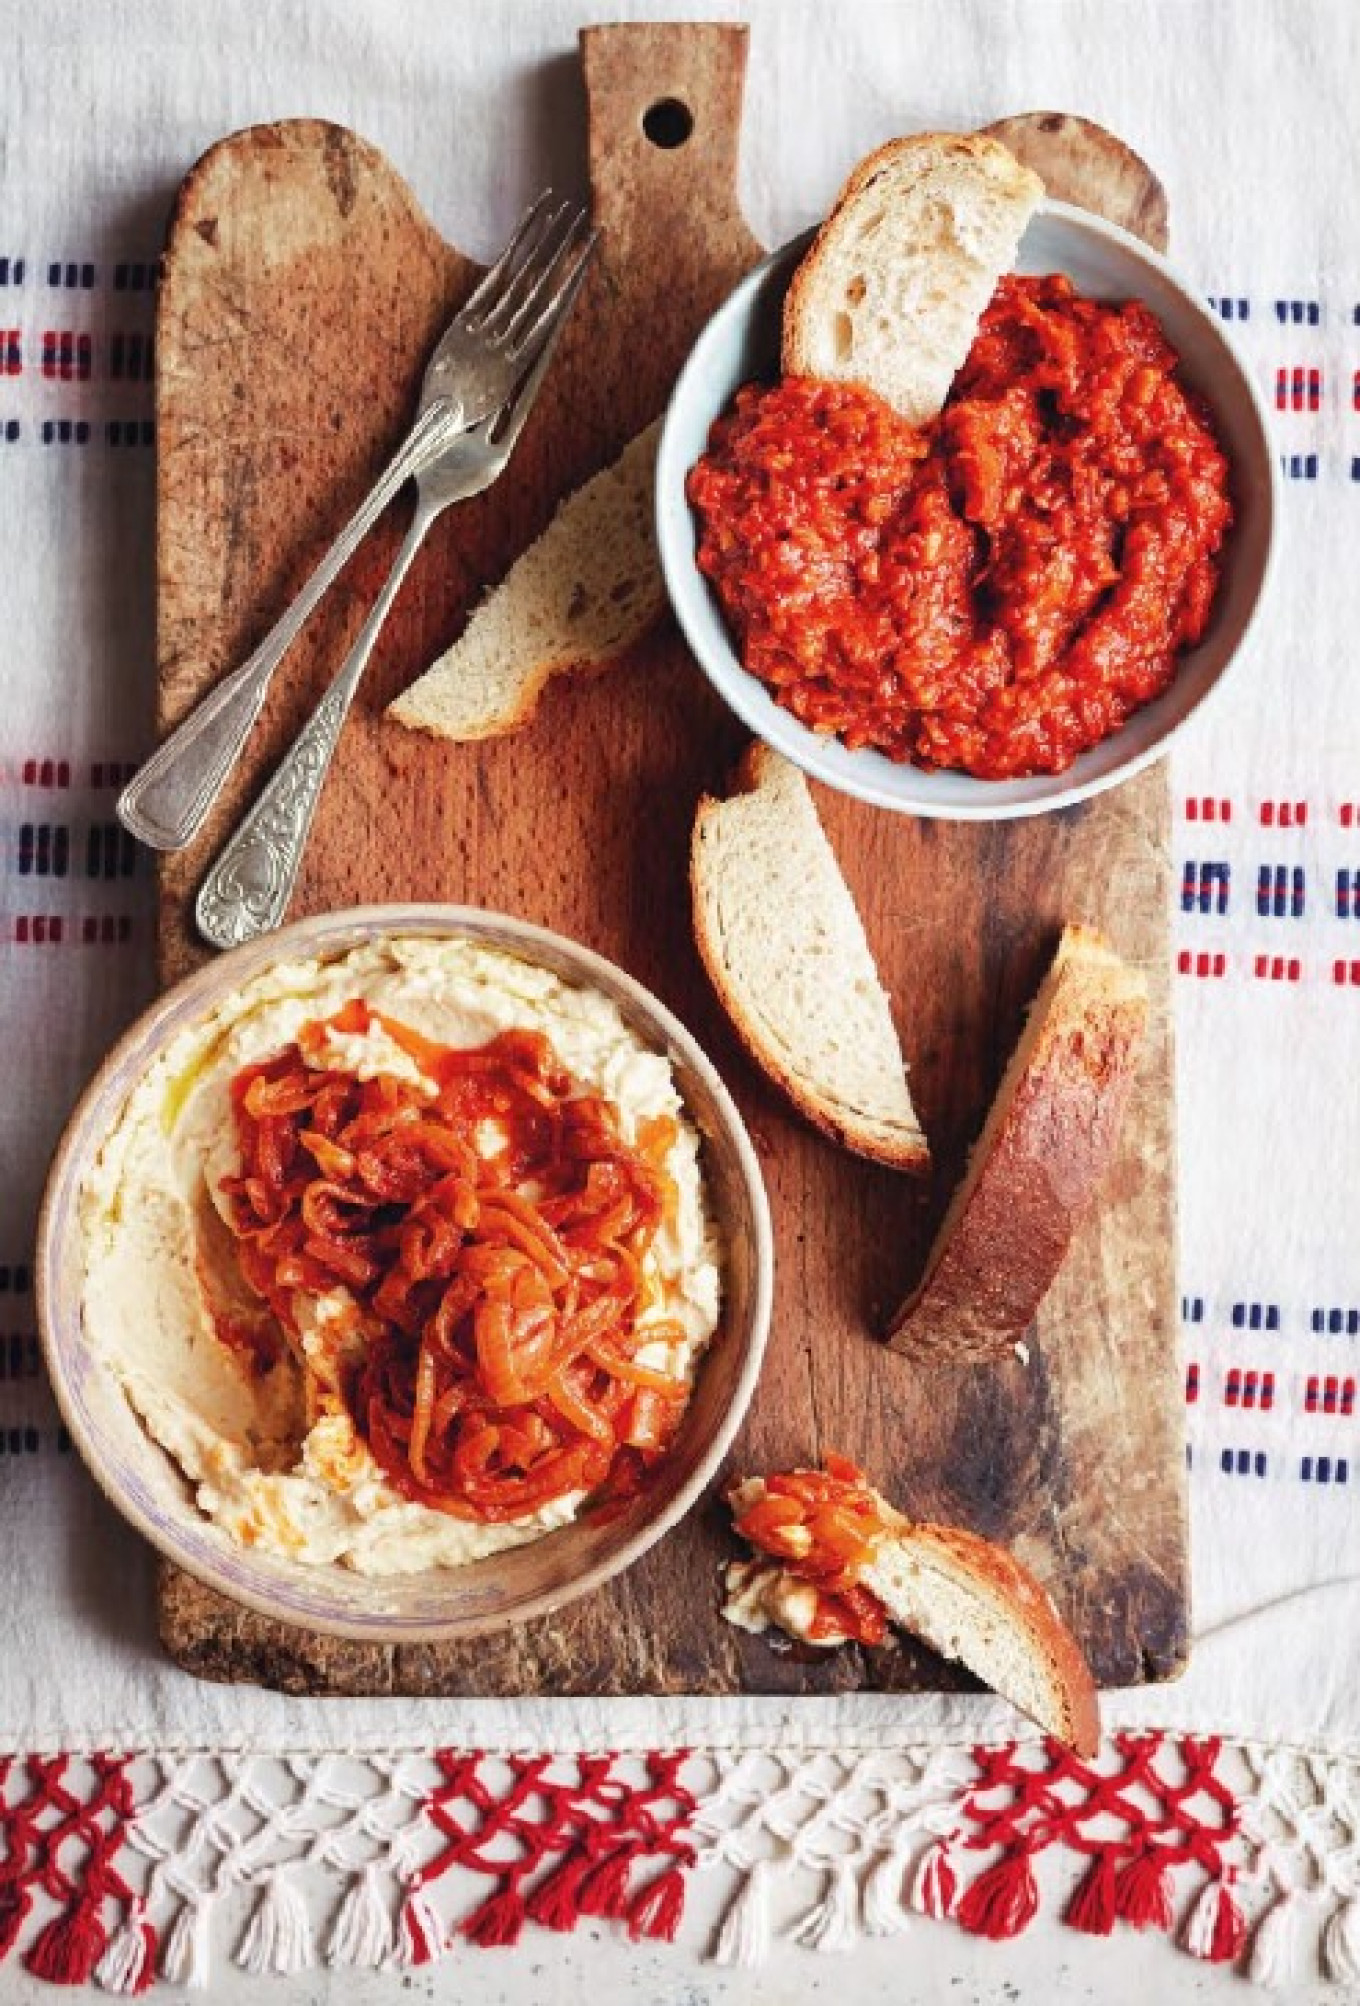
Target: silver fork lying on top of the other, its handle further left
point(482, 356)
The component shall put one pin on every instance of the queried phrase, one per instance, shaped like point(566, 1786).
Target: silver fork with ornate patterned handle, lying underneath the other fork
point(250, 886)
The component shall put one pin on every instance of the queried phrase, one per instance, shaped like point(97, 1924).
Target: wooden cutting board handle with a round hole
point(665, 113)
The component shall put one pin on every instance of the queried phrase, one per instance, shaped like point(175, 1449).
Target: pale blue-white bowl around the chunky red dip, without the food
point(741, 342)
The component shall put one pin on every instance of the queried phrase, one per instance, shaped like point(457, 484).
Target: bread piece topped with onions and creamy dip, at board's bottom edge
point(960, 1594)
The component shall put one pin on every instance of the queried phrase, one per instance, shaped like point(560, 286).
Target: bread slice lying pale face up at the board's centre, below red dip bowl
point(787, 954)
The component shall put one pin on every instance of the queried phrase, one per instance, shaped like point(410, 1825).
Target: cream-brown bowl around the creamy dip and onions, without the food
point(442, 1604)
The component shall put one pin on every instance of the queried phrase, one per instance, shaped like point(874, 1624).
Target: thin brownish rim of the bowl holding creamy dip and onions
point(79, 1144)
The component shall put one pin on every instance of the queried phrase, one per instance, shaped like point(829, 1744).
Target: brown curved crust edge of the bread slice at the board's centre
point(862, 1138)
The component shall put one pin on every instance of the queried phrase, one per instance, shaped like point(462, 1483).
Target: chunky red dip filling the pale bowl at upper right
point(1000, 591)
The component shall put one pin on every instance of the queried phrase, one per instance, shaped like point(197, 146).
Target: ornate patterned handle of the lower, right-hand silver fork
point(250, 886)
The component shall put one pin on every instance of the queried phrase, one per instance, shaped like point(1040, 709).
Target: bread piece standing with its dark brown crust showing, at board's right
point(1038, 1164)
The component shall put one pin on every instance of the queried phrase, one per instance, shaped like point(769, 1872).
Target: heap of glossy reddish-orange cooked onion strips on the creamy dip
point(492, 1231)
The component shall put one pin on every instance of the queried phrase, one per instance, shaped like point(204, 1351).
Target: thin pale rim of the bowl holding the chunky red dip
point(777, 727)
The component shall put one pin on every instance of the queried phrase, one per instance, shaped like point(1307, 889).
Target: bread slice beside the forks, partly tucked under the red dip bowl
point(579, 597)
